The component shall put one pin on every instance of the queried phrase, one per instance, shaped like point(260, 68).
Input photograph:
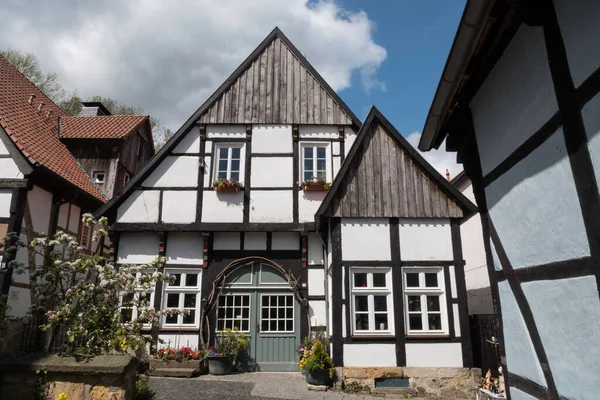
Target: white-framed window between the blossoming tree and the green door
point(182, 294)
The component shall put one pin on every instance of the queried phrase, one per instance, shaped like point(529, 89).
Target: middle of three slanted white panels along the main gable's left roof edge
point(174, 171)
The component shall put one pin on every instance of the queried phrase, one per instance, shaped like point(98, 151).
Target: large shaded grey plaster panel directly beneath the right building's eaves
point(506, 115)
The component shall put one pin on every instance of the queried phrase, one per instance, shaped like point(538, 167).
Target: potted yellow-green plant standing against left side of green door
point(231, 345)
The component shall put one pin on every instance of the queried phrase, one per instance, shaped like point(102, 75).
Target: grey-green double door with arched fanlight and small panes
point(258, 301)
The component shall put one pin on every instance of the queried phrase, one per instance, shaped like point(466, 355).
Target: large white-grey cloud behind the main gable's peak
point(169, 56)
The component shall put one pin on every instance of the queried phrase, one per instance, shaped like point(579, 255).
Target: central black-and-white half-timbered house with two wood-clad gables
point(274, 124)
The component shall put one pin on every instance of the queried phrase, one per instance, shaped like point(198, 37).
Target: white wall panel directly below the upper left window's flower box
point(222, 207)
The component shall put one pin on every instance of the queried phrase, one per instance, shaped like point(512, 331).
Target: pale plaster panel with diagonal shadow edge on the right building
point(535, 208)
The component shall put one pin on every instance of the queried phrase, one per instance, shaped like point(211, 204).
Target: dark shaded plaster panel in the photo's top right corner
point(580, 30)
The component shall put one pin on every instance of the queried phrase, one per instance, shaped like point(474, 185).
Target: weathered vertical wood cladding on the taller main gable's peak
point(276, 88)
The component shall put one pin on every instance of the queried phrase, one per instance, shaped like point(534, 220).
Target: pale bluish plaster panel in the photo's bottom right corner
point(567, 315)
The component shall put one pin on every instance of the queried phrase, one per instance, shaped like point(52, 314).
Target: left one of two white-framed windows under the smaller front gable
point(372, 304)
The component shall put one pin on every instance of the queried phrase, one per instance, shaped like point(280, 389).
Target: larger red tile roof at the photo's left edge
point(34, 132)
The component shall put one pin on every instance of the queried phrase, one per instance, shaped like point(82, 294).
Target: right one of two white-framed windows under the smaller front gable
point(425, 301)
